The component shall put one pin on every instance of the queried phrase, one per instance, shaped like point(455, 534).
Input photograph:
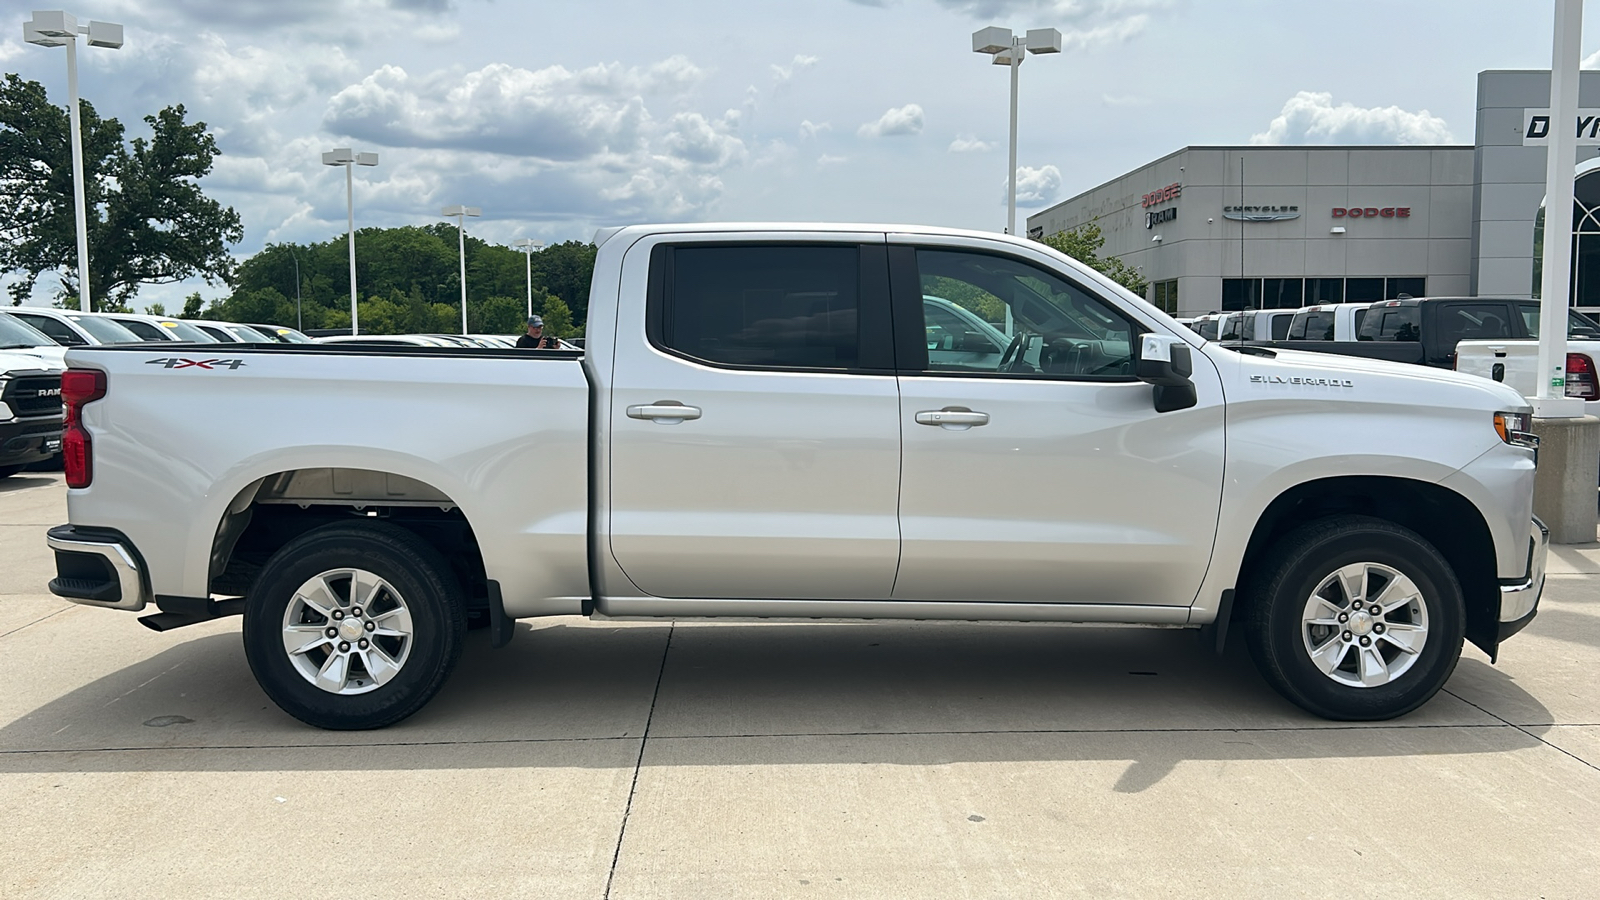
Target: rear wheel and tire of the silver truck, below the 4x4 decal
point(350, 672)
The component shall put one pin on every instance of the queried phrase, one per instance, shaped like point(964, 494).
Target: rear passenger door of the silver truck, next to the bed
point(756, 420)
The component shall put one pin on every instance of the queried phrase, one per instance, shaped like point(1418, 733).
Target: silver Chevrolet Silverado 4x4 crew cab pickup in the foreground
point(794, 422)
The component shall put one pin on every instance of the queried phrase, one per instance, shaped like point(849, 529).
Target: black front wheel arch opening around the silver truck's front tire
point(1447, 520)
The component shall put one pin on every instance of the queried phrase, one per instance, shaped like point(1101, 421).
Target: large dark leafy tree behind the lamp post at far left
point(148, 219)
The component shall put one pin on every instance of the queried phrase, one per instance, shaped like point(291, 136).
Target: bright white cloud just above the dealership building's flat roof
point(1310, 118)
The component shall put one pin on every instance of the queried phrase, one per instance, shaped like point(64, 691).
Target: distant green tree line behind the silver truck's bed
point(410, 283)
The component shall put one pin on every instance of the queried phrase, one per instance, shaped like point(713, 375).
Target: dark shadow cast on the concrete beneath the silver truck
point(911, 694)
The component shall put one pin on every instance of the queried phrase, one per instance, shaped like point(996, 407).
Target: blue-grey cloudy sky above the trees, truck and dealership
point(561, 118)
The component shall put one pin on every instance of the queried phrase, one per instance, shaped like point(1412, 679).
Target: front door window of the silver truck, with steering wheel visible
point(1025, 319)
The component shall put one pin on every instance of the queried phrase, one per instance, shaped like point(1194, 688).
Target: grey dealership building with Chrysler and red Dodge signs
point(1286, 227)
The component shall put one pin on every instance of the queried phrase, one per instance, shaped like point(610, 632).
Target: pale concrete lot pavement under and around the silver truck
point(833, 760)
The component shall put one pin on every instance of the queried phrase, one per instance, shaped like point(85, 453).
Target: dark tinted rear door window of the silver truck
point(769, 307)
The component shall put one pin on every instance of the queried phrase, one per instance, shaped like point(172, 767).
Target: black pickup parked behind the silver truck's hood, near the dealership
point(1426, 331)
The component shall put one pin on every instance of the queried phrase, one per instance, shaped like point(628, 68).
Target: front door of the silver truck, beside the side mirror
point(1044, 473)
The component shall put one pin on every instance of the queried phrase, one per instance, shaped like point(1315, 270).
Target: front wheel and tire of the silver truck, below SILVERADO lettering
point(1362, 667)
